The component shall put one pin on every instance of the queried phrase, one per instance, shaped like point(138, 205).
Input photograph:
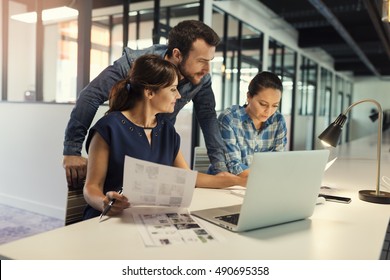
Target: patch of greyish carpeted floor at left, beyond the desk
point(17, 223)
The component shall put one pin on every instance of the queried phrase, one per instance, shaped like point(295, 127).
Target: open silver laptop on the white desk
point(282, 187)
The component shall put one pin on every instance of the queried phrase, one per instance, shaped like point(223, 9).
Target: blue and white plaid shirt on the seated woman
point(242, 139)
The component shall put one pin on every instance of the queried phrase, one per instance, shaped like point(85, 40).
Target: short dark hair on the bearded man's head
point(187, 32)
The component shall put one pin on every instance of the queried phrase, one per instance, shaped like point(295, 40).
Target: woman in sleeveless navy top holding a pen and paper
point(134, 126)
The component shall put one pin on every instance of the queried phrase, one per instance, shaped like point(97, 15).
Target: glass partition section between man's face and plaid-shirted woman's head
point(238, 59)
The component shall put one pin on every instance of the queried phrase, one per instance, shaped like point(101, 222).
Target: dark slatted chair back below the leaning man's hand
point(75, 205)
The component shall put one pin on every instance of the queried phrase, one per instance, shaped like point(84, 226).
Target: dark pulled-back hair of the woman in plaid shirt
point(264, 80)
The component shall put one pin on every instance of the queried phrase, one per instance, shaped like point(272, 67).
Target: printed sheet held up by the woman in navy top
point(148, 183)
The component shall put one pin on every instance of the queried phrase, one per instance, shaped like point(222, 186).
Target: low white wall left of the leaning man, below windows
point(31, 172)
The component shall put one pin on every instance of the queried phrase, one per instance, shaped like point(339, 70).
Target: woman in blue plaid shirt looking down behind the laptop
point(257, 126)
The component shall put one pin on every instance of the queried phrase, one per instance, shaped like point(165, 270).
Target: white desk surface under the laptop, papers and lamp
point(335, 231)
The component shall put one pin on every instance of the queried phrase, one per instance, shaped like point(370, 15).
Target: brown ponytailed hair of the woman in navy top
point(148, 72)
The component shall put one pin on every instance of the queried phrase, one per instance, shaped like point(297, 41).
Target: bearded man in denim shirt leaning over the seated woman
point(191, 47)
